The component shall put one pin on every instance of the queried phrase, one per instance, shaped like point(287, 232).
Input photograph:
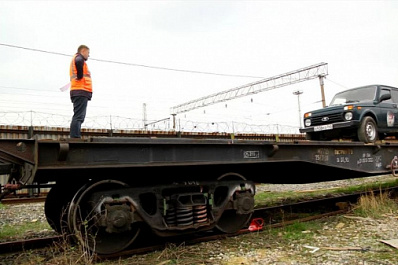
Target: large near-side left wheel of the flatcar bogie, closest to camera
point(84, 224)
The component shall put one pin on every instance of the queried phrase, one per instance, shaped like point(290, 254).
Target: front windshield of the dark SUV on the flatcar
point(354, 95)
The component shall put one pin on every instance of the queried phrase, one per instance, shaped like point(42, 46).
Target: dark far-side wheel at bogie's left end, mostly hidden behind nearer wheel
point(56, 206)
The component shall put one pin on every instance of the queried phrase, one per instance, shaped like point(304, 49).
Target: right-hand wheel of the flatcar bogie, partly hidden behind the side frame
point(230, 221)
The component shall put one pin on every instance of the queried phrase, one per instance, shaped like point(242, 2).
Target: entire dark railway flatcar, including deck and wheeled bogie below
point(106, 191)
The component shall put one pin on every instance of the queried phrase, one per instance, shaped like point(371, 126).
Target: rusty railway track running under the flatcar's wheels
point(263, 218)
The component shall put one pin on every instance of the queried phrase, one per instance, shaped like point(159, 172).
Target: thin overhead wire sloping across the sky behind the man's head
point(131, 64)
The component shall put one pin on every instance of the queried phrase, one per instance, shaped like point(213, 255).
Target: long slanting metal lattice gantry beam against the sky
point(314, 71)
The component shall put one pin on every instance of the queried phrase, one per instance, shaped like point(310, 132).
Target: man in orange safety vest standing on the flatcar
point(80, 89)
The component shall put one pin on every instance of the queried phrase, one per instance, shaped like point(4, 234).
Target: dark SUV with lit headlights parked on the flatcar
point(367, 114)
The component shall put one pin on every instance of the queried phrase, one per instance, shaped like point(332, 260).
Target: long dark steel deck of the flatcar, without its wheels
point(303, 161)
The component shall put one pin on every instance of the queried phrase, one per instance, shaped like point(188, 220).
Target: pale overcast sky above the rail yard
point(237, 41)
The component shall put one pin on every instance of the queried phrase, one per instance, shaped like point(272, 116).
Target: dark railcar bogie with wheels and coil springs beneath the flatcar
point(114, 211)
